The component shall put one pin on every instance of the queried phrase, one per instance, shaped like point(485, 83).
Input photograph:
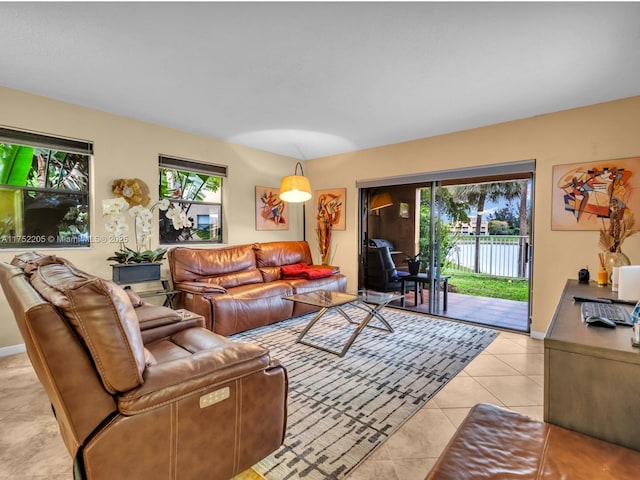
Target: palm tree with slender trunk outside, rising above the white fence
point(477, 194)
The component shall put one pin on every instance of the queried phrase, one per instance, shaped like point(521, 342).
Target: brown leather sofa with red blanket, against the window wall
point(241, 287)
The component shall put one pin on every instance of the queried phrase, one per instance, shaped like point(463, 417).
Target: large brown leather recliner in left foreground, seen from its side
point(178, 402)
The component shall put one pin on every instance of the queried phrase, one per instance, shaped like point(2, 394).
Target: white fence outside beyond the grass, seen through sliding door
point(501, 256)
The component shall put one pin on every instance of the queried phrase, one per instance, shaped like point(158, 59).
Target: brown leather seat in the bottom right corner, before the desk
point(494, 443)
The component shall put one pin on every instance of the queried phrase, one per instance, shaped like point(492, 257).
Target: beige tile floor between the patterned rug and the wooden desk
point(508, 373)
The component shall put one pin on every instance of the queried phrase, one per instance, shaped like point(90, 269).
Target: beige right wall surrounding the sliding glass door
point(598, 132)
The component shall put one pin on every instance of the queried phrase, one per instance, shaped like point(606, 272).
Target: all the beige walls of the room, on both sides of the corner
point(126, 148)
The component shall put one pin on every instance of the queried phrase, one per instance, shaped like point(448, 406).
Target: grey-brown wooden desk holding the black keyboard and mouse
point(591, 374)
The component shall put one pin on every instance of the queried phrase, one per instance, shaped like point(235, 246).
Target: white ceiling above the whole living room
point(312, 79)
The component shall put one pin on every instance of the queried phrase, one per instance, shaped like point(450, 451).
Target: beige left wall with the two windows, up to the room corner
point(126, 148)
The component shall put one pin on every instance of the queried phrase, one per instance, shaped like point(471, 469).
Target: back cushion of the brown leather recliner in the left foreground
point(102, 315)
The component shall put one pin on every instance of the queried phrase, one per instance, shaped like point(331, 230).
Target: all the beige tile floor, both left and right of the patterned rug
point(508, 373)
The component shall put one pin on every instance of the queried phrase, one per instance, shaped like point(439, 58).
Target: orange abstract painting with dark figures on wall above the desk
point(585, 195)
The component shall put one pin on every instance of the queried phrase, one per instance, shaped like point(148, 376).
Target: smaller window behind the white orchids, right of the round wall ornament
point(197, 189)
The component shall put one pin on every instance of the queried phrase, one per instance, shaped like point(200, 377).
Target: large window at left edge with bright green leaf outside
point(44, 190)
